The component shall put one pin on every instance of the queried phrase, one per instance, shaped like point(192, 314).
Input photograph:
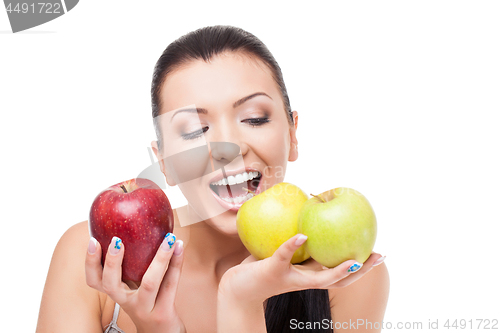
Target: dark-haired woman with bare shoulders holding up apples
point(217, 89)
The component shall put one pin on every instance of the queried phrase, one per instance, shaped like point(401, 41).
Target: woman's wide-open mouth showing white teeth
point(233, 188)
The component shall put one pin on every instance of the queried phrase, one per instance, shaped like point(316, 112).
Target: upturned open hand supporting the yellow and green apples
point(253, 281)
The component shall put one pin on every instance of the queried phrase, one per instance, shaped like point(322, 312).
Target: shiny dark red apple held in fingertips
point(141, 218)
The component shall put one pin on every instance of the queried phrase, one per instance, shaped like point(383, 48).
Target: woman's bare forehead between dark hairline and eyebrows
point(217, 83)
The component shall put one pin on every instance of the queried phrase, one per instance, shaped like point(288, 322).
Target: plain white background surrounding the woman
point(397, 99)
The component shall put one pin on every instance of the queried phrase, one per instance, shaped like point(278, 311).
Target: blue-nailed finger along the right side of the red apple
point(148, 291)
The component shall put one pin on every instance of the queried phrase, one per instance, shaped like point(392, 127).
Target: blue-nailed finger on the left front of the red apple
point(112, 272)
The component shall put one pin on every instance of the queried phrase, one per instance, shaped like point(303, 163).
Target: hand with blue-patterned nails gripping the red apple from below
point(151, 306)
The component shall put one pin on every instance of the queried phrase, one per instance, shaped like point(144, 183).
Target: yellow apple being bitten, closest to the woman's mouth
point(269, 219)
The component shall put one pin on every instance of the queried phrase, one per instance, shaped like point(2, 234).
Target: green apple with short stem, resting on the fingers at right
point(340, 225)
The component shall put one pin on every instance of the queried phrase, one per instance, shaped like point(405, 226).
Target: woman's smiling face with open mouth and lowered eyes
point(220, 119)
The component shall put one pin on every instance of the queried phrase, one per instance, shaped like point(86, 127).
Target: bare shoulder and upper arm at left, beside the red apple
point(68, 304)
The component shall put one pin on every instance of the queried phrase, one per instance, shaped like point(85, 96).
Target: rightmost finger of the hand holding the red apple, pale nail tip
point(168, 288)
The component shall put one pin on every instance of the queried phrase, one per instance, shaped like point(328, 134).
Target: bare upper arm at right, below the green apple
point(363, 302)
